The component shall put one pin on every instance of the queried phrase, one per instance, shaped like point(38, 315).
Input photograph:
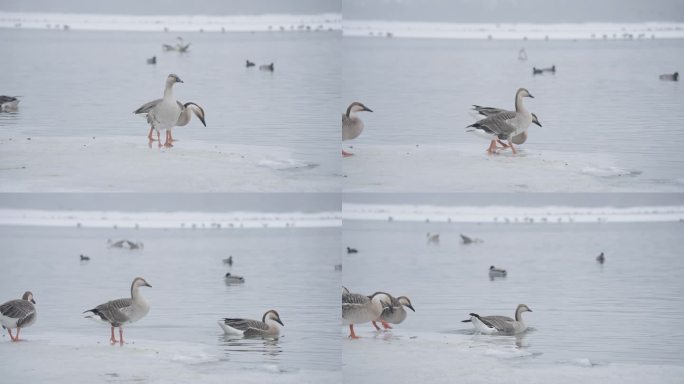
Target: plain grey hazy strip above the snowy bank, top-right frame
point(533, 11)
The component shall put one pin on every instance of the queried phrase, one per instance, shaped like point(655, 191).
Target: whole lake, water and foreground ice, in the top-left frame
point(82, 86)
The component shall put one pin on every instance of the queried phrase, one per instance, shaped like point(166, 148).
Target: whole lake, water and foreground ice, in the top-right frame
point(608, 121)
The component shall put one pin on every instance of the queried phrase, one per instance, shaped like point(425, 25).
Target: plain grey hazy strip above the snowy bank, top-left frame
point(174, 7)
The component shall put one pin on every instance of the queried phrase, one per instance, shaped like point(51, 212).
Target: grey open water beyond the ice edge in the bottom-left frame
point(290, 270)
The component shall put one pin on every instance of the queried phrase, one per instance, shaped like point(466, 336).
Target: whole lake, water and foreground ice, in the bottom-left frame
point(179, 340)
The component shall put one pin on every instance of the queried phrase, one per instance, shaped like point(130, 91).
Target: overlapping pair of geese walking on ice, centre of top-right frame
point(498, 127)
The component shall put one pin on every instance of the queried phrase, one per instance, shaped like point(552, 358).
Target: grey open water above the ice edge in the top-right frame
point(604, 98)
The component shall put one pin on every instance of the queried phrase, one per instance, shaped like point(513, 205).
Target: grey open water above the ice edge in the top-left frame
point(88, 84)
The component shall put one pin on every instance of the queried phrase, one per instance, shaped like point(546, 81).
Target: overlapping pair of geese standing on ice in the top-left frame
point(165, 113)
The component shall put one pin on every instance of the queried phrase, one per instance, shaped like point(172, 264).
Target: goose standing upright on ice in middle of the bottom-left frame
point(122, 311)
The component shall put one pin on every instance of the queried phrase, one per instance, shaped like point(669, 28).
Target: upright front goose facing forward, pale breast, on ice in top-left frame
point(163, 114)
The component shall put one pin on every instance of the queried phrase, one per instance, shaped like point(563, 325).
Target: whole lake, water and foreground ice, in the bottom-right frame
point(617, 321)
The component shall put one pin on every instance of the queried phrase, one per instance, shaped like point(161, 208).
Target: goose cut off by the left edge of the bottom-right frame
point(358, 308)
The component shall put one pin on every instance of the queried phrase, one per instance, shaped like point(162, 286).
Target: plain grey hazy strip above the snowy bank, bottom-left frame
point(192, 202)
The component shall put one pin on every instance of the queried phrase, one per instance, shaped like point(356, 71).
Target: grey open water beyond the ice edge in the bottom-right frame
point(629, 310)
